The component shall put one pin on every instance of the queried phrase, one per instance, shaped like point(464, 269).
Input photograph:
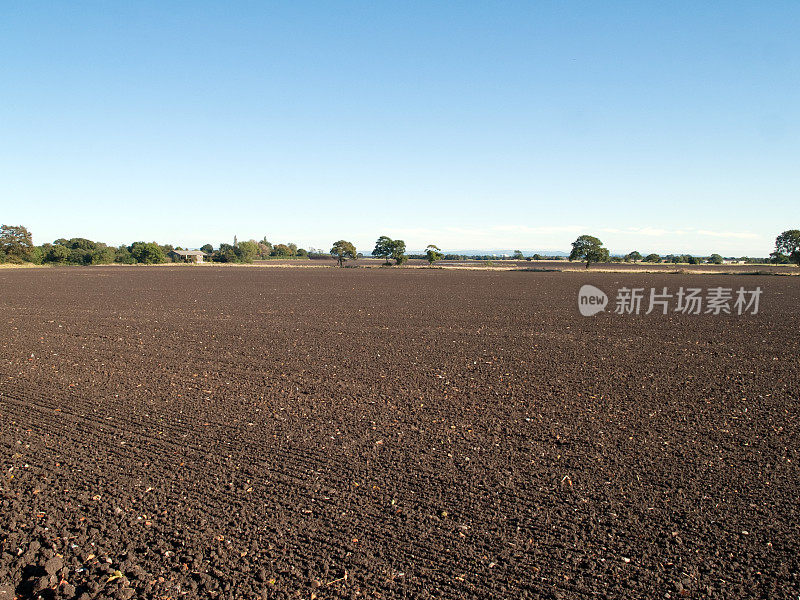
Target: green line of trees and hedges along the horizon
point(16, 246)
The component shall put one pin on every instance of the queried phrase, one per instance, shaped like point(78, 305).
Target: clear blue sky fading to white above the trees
point(657, 126)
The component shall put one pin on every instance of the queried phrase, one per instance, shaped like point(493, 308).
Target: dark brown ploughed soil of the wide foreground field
point(243, 433)
